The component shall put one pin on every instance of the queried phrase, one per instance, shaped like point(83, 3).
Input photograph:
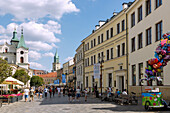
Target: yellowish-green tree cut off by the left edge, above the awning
point(5, 70)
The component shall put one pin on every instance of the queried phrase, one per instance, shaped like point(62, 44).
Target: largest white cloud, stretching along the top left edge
point(35, 9)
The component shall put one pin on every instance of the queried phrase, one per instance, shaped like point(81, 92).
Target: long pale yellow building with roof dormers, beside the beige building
point(107, 40)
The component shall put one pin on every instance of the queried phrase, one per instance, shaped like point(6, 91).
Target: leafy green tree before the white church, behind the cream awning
point(21, 75)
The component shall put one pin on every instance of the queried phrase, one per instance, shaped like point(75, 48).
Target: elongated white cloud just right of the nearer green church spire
point(38, 46)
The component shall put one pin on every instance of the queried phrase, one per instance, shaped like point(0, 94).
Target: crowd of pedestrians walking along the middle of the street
point(73, 94)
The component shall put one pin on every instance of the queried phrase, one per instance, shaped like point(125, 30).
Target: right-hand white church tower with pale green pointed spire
point(22, 53)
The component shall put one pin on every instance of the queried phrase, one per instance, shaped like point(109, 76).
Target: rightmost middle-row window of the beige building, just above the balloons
point(158, 31)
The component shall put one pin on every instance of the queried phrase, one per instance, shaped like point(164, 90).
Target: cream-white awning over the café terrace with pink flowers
point(11, 80)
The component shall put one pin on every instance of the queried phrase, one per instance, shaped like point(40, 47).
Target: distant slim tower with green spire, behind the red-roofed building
point(56, 64)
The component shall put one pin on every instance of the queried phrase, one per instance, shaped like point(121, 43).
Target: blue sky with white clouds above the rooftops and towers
point(51, 24)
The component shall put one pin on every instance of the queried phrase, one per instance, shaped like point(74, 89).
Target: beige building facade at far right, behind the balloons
point(147, 21)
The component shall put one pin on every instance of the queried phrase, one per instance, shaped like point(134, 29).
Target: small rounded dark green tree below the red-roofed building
point(36, 81)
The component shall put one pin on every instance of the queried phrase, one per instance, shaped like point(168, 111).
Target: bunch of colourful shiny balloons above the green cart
point(162, 56)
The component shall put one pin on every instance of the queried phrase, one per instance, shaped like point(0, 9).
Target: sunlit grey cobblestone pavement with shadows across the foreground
point(61, 105)
